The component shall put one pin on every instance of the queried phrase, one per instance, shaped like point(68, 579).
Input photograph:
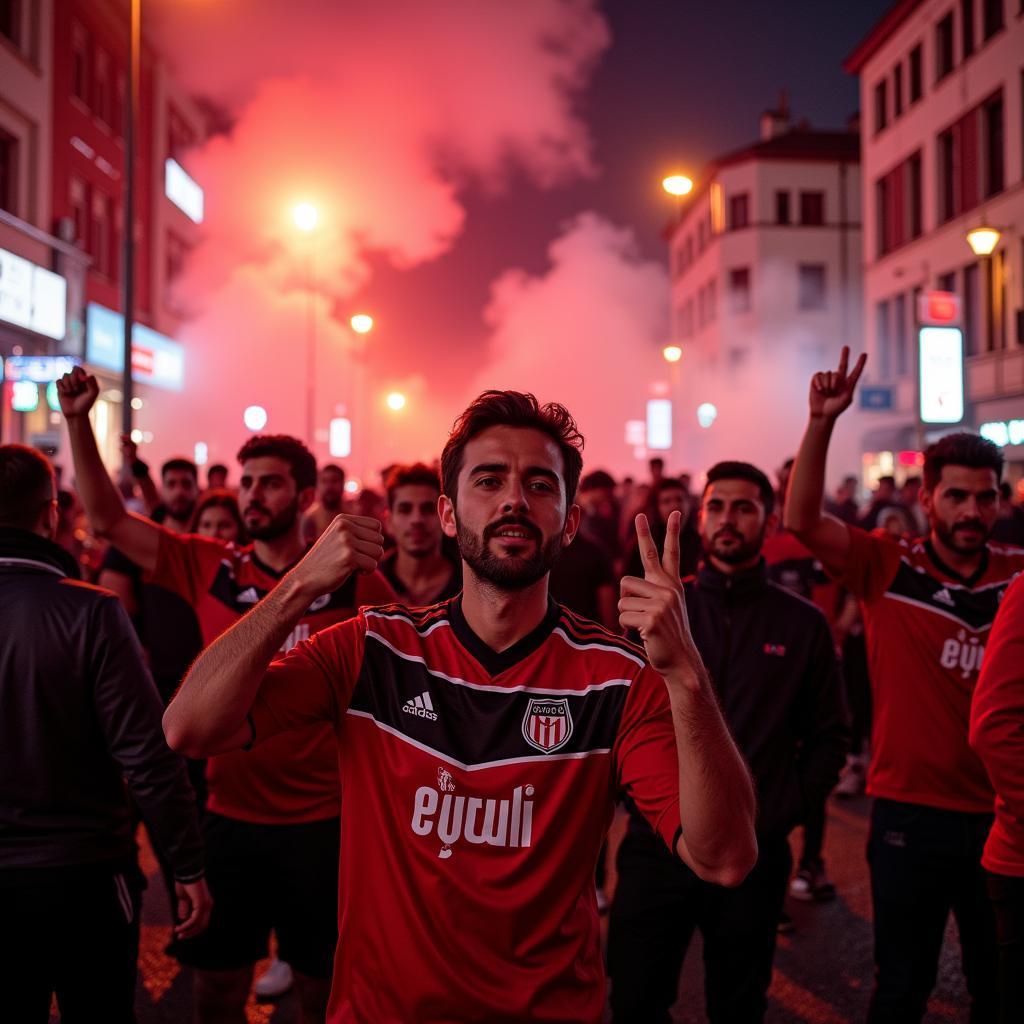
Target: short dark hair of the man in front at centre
point(514, 409)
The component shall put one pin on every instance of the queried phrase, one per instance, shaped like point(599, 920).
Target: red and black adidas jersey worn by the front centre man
point(479, 789)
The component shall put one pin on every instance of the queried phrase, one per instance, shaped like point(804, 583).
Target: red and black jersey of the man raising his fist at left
point(294, 779)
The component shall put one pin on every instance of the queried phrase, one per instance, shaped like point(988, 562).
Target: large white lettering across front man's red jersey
point(483, 823)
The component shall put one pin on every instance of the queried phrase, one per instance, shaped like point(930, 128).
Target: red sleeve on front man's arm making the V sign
point(646, 755)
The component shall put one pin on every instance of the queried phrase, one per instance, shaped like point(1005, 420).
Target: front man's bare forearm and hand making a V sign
point(716, 796)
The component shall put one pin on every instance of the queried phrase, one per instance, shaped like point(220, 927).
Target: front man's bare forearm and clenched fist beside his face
point(209, 713)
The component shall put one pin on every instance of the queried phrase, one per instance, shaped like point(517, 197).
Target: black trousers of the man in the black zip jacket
point(659, 903)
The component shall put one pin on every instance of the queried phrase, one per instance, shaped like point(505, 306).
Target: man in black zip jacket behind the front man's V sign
point(775, 670)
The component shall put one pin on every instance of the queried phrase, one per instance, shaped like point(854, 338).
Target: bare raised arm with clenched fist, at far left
point(135, 536)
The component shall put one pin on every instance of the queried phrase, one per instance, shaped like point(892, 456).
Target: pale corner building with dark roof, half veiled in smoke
point(765, 264)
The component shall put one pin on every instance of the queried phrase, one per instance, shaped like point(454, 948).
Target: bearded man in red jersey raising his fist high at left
point(272, 819)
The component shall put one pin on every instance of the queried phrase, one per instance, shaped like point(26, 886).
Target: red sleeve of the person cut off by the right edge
point(998, 707)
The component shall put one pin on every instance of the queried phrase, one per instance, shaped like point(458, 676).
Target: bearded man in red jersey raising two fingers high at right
point(928, 607)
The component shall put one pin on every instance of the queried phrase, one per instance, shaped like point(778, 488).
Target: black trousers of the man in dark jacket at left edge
point(74, 933)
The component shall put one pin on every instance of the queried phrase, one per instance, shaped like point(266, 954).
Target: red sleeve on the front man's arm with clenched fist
point(314, 682)
